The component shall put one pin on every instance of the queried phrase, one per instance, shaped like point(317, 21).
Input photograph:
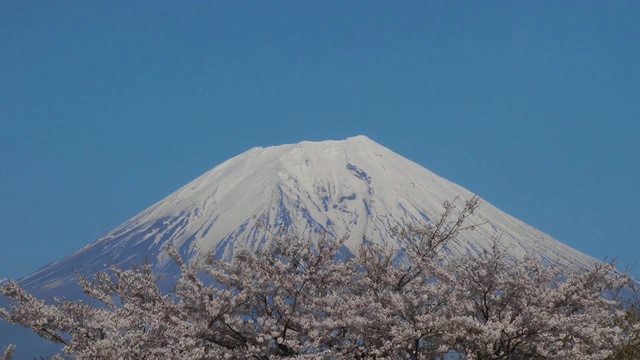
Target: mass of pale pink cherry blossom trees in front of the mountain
point(315, 299)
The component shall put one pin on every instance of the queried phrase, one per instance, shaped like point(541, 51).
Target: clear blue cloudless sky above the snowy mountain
point(106, 107)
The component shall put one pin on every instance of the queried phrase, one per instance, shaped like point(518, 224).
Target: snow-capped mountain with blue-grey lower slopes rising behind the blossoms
point(353, 188)
